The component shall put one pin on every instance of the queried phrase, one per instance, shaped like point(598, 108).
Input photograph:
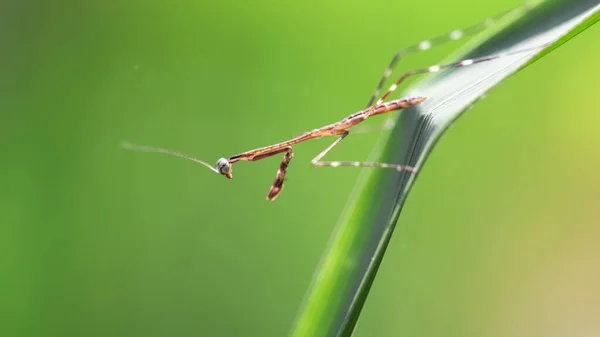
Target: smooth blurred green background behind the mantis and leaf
point(499, 237)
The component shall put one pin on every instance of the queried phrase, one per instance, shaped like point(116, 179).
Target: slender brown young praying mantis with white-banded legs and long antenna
point(342, 128)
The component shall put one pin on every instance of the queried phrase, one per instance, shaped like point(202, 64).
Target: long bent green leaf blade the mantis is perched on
point(342, 282)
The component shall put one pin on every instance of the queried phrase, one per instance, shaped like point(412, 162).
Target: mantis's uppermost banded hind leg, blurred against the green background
point(441, 39)
